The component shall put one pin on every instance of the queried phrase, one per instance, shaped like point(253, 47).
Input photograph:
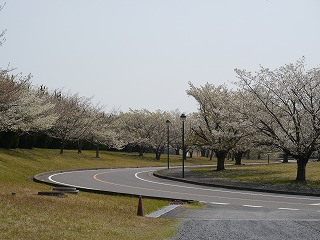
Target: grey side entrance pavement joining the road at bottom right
point(215, 222)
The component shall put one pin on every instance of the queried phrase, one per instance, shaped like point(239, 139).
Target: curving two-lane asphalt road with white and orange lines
point(140, 181)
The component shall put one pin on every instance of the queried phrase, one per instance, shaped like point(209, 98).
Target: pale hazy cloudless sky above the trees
point(142, 53)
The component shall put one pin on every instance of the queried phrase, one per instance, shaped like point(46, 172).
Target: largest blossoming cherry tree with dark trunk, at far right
point(285, 108)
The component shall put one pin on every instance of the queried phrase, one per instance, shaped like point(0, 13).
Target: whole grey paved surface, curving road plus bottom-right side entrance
point(230, 214)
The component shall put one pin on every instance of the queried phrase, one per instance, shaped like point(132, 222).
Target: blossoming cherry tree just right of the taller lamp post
point(217, 125)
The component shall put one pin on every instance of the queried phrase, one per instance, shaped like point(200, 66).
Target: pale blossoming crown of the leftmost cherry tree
point(23, 108)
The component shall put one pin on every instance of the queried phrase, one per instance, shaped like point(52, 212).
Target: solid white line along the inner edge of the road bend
point(224, 191)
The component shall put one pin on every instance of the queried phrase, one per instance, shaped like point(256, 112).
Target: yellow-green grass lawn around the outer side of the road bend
point(27, 215)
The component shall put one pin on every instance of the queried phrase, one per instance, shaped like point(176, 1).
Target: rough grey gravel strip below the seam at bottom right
point(248, 229)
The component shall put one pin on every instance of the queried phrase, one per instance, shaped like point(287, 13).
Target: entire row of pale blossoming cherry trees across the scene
point(271, 110)
